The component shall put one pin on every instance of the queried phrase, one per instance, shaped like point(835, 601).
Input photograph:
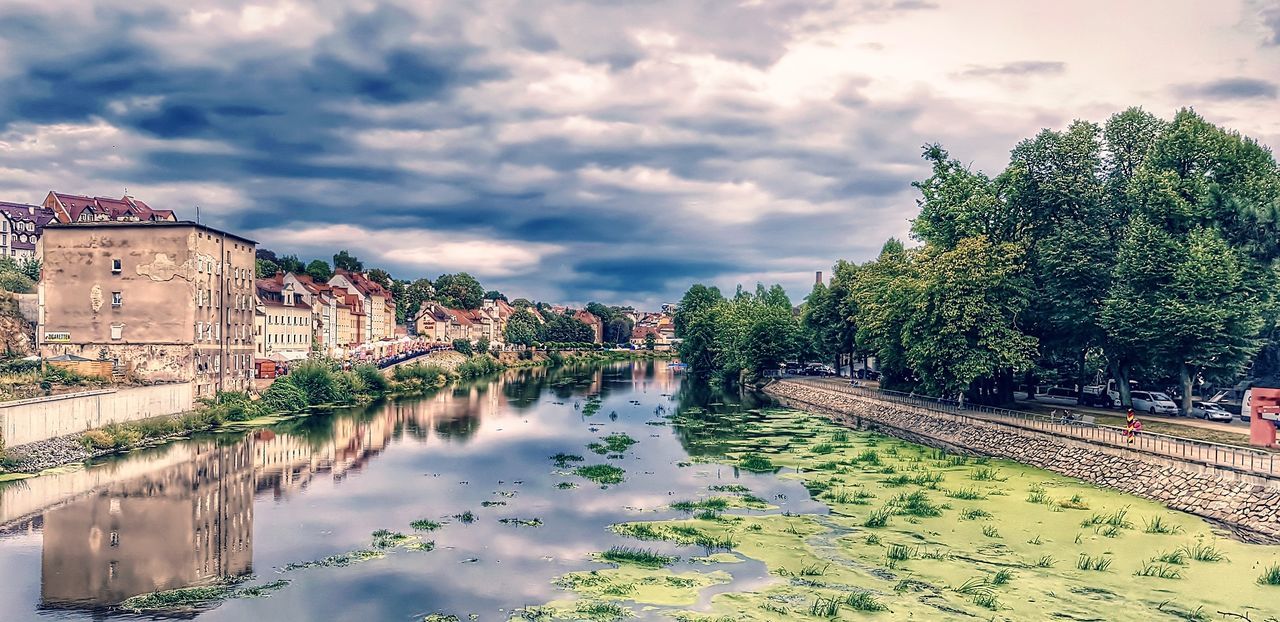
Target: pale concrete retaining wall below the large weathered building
point(42, 419)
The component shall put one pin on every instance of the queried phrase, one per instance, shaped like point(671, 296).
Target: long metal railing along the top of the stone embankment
point(1241, 459)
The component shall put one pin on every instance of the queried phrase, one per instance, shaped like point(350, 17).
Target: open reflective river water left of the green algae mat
point(250, 504)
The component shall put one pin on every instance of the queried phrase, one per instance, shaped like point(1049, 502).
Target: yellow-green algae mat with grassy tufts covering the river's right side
point(921, 534)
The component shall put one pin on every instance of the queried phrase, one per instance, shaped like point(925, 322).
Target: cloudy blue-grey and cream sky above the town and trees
point(578, 152)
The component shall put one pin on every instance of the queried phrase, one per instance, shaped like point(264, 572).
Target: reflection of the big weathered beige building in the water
point(185, 525)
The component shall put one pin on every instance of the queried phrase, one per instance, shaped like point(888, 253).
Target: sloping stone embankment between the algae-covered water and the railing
point(1250, 505)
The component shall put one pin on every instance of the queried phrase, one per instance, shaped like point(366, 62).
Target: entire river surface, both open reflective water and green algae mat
point(280, 523)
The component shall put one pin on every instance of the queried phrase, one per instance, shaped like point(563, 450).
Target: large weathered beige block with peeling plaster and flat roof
point(164, 301)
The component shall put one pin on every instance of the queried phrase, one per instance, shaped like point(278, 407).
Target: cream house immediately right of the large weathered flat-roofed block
point(285, 328)
